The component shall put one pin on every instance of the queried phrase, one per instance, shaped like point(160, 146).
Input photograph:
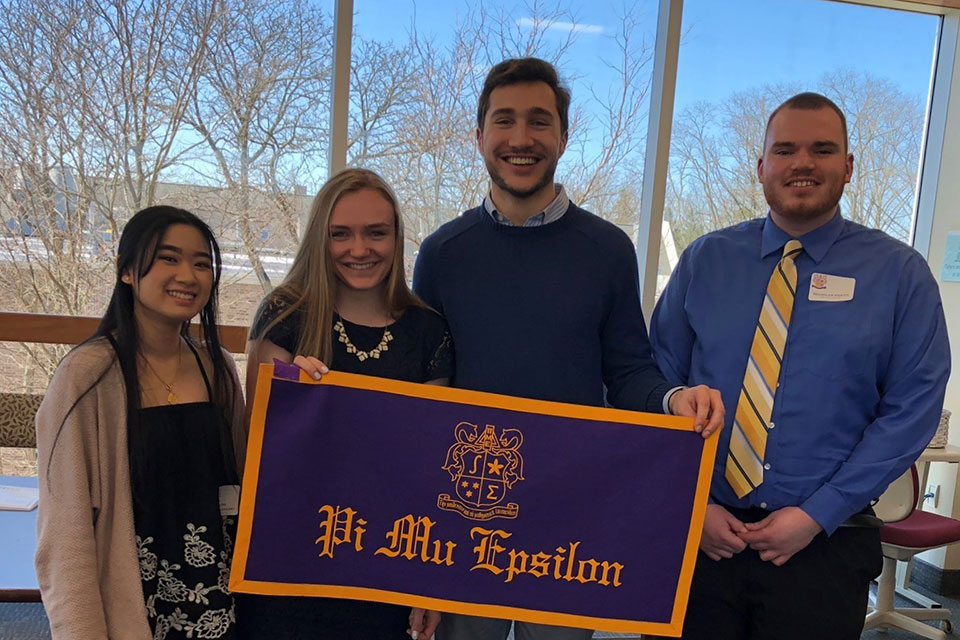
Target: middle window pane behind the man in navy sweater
point(416, 78)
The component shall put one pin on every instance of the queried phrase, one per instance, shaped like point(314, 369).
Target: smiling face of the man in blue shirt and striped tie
point(804, 167)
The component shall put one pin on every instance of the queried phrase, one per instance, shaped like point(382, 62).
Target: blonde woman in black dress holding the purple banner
point(345, 305)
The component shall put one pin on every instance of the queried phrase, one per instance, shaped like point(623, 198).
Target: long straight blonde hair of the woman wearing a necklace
point(311, 284)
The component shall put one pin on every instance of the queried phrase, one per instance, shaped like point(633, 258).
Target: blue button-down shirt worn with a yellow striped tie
point(862, 380)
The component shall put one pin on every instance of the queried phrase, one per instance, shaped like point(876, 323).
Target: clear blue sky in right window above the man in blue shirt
point(731, 45)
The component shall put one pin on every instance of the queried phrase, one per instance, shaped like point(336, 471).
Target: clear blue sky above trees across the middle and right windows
point(728, 45)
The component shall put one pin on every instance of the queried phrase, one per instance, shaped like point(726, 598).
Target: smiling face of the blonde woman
point(363, 239)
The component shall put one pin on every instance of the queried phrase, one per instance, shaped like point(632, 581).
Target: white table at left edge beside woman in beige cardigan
point(18, 544)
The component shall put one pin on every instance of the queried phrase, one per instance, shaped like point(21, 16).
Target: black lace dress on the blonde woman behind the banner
point(420, 351)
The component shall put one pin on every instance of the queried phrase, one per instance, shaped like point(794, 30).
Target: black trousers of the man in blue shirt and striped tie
point(821, 592)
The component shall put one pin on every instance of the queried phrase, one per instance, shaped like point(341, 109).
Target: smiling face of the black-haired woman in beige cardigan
point(178, 283)
